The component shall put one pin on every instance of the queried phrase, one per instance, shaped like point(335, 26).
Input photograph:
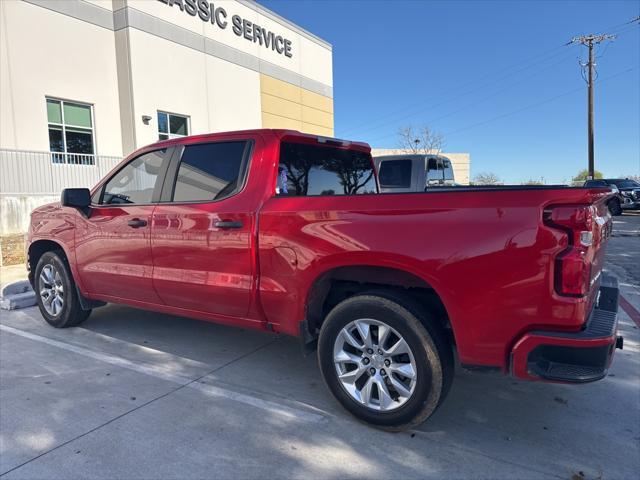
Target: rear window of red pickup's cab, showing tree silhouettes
point(318, 170)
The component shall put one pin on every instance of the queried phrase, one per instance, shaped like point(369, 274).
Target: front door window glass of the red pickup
point(134, 184)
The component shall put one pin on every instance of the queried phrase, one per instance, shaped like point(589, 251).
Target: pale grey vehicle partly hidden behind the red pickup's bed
point(413, 173)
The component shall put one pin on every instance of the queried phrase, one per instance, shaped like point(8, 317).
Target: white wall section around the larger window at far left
point(45, 53)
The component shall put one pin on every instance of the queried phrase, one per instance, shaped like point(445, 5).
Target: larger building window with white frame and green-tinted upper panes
point(70, 132)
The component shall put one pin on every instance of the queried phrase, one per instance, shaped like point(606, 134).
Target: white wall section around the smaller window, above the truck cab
point(215, 94)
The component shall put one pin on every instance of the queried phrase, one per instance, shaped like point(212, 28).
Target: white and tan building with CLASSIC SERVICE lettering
point(85, 82)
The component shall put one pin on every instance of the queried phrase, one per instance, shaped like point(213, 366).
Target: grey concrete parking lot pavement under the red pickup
point(134, 394)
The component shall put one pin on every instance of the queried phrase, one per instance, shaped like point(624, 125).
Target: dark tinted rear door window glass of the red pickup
point(210, 171)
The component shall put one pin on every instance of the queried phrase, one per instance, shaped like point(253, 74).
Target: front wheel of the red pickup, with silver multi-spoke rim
point(56, 292)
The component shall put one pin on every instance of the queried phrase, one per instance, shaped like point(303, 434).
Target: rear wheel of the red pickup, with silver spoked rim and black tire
point(381, 363)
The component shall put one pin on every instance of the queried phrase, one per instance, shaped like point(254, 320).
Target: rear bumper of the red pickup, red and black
point(575, 357)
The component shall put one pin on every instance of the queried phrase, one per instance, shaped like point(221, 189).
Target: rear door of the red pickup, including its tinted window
point(202, 230)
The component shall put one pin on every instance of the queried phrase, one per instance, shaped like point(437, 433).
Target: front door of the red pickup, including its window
point(113, 244)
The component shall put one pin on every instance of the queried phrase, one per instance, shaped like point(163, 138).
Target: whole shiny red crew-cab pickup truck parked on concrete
point(283, 231)
